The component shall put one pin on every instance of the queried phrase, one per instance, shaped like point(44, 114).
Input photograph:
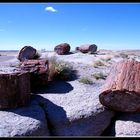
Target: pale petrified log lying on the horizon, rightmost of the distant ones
point(87, 48)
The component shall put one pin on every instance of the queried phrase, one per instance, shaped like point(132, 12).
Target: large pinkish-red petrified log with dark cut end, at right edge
point(121, 91)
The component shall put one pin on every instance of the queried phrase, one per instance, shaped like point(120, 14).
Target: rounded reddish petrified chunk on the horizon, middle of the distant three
point(62, 49)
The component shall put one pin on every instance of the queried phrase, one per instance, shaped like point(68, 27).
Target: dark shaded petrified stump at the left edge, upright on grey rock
point(14, 89)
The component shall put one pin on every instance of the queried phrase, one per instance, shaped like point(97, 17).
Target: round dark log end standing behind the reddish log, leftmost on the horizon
point(27, 52)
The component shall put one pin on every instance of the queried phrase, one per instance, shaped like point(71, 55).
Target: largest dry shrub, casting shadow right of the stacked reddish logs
point(60, 69)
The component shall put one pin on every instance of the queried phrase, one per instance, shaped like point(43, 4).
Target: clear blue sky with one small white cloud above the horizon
point(112, 26)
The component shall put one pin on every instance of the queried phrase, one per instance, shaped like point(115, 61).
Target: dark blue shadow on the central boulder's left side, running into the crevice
point(54, 114)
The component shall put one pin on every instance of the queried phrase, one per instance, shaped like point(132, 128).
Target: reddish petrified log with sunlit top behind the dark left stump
point(39, 70)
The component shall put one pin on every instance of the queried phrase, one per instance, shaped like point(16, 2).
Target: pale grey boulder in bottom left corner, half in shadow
point(25, 121)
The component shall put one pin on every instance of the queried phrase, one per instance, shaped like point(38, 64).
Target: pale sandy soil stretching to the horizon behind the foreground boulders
point(83, 63)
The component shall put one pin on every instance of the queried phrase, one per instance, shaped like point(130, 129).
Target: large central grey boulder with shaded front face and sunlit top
point(74, 110)
